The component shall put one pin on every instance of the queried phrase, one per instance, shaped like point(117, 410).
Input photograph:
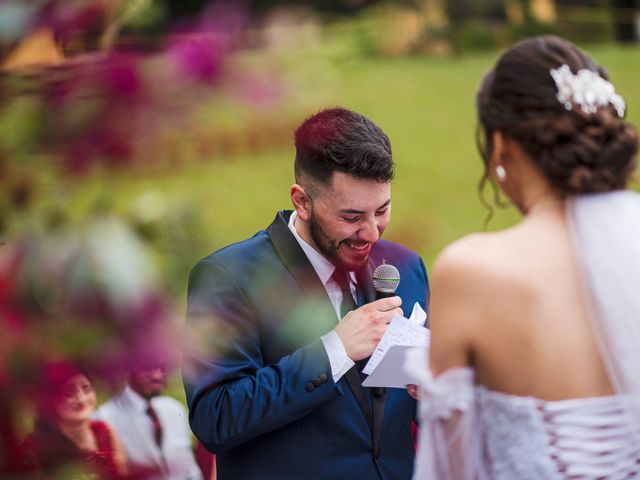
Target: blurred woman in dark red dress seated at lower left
point(65, 436)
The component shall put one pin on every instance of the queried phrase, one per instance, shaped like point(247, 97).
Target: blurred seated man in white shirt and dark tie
point(154, 429)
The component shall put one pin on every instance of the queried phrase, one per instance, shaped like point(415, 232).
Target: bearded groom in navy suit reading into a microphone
point(283, 319)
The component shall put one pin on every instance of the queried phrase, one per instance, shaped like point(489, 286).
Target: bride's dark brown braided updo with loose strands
point(577, 152)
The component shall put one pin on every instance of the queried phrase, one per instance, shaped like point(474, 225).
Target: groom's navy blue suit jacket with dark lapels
point(258, 380)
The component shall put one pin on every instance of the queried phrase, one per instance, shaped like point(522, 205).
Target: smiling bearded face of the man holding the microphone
point(347, 217)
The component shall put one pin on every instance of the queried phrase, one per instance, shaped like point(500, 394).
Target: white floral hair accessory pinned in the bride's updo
point(587, 89)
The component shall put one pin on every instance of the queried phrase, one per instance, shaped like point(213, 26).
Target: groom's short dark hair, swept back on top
point(338, 139)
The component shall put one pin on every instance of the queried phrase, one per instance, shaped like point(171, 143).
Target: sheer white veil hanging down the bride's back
point(605, 228)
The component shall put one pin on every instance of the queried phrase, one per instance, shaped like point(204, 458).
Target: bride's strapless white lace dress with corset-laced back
point(468, 431)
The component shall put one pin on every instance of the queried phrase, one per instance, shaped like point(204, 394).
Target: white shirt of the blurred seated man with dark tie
point(126, 414)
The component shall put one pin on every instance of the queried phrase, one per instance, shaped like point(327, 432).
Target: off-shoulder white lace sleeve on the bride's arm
point(448, 441)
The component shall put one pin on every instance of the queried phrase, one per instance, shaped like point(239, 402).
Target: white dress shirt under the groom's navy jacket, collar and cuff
point(338, 358)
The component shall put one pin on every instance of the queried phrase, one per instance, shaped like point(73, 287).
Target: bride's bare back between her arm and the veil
point(533, 335)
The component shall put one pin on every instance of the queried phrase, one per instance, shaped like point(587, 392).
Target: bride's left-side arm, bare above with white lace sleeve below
point(448, 438)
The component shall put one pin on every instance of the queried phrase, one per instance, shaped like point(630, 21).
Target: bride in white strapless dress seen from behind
point(534, 366)
